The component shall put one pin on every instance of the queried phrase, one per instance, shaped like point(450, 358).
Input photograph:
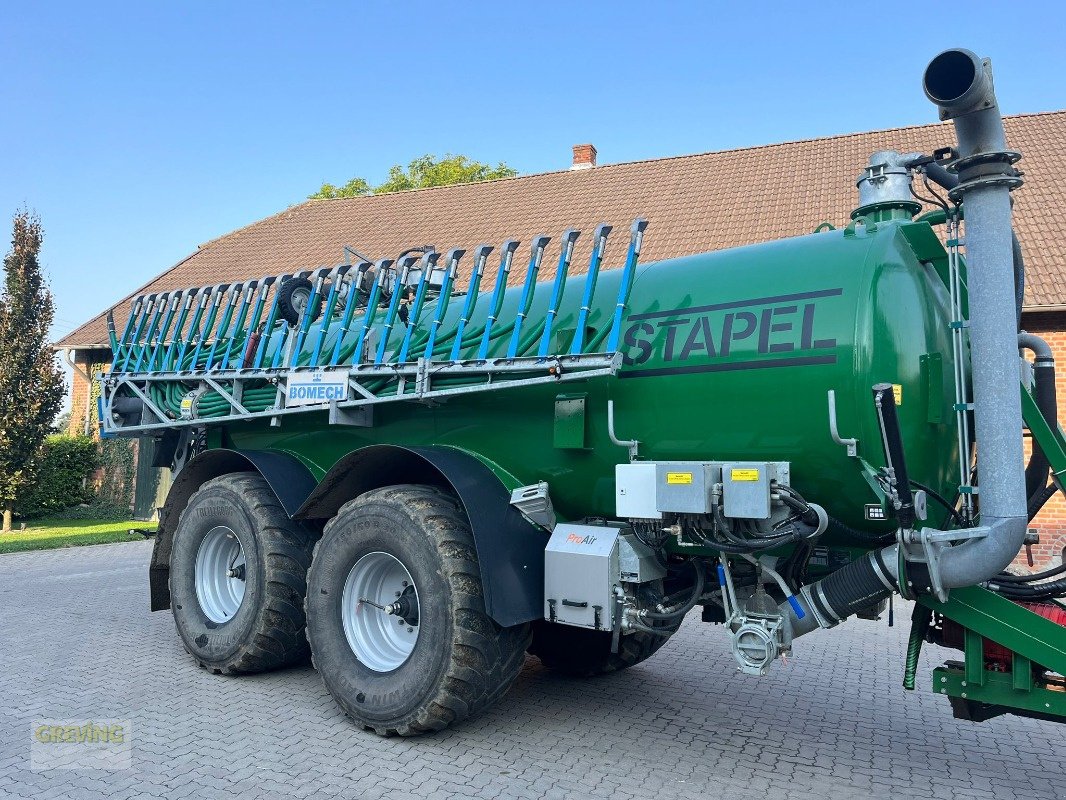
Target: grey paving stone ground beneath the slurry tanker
point(78, 642)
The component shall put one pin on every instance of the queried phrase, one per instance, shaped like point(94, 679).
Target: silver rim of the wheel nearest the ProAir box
point(380, 635)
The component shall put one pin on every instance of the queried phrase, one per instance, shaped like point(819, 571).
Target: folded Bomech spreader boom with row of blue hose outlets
point(227, 350)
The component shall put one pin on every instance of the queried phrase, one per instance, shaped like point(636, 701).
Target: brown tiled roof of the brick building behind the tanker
point(694, 204)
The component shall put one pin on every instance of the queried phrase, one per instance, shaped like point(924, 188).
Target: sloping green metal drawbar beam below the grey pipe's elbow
point(987, 615)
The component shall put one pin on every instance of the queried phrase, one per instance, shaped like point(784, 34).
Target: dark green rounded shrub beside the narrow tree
point(66, 465)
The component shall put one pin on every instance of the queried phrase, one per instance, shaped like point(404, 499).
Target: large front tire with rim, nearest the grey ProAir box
point(438, 660)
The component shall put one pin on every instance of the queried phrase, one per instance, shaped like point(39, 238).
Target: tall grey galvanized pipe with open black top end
point(961, 85)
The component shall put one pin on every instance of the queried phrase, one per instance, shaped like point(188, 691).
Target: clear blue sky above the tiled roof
point(140, 131)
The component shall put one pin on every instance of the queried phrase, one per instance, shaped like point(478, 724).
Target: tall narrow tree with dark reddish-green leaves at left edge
point(31, 385)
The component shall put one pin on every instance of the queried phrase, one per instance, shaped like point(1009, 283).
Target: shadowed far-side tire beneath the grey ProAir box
point(585, 653)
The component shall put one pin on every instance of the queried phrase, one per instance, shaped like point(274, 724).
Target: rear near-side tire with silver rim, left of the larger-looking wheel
point(239, 577)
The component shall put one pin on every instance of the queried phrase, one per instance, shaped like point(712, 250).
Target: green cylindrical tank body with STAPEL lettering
point(728, 356)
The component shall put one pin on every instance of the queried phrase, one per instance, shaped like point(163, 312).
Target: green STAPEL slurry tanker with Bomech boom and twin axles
point(418, 475)
